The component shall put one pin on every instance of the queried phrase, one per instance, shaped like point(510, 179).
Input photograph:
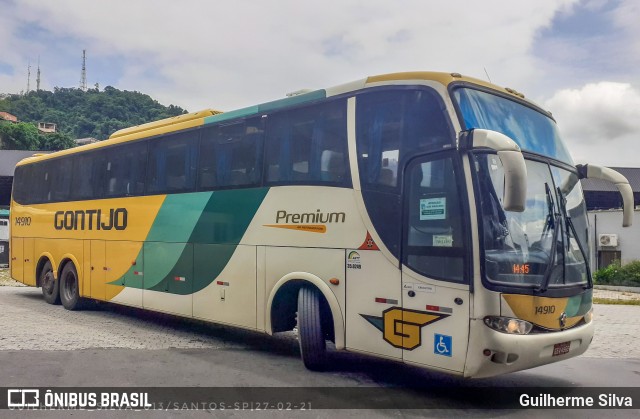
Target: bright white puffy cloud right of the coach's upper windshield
point(599, 122)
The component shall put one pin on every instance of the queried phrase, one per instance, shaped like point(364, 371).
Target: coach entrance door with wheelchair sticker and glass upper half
point(435, 264)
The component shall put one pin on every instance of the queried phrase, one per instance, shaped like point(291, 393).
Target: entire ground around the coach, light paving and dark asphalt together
point(48, 346)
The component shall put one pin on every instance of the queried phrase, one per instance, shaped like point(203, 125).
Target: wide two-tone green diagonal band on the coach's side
point(213, 238)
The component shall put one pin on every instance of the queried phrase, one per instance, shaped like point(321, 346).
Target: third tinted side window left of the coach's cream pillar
point(172, 163)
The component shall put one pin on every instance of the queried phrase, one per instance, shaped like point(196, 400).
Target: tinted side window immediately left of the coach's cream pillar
point(308, 145)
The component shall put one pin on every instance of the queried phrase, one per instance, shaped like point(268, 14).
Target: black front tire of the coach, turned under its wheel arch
point(311, 337)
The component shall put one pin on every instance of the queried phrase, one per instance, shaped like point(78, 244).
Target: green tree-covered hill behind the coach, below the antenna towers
point(79, 114)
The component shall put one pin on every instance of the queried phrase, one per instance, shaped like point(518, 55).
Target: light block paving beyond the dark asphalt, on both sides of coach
point(35, 325)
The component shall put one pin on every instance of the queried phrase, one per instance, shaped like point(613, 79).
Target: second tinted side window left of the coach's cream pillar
point(230, 155)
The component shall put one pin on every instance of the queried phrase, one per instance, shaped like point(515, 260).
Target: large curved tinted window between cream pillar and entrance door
point(391, 127)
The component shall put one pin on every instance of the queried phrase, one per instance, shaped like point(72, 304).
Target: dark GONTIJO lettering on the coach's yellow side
point(91, 219)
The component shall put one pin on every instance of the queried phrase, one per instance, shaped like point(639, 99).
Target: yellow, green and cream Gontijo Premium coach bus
point(429, 218)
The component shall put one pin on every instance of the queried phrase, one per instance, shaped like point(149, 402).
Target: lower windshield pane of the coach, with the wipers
point(545, 245)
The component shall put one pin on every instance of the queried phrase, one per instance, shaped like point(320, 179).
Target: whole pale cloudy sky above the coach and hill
point(579, 59)
